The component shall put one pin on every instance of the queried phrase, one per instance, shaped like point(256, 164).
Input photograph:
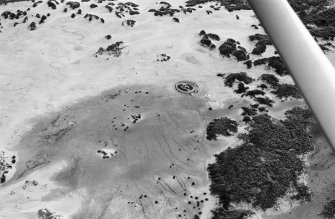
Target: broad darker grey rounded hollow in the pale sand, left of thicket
point(160, 146)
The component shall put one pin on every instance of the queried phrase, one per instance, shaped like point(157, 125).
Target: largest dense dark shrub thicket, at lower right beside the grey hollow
point(267, 164)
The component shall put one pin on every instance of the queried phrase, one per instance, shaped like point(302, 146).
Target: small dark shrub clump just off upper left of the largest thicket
point(222, 126)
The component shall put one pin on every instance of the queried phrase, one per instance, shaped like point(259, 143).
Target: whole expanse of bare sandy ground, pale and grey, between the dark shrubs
point(51, 84)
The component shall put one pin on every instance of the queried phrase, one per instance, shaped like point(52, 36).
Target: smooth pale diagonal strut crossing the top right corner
point(309, 67)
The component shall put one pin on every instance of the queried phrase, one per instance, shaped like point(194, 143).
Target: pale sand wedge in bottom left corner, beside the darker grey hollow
point(25, 197)
